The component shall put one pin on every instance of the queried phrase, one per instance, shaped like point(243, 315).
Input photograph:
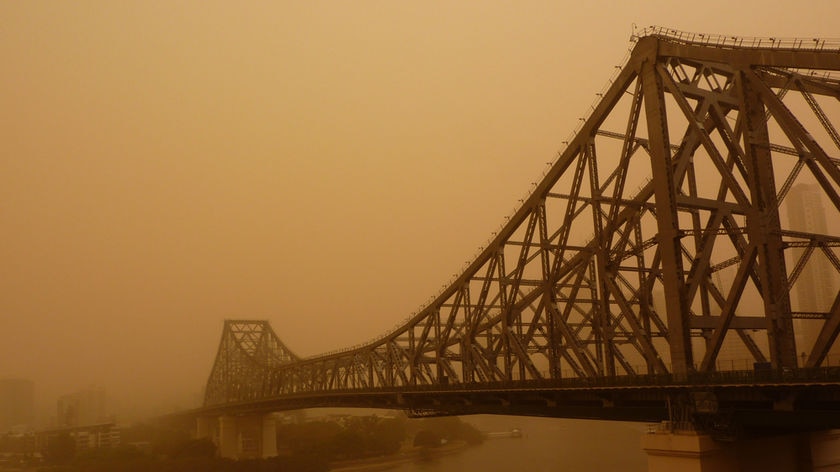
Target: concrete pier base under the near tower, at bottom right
point(690, 451)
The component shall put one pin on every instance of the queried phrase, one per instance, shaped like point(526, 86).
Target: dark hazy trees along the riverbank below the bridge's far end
point(341, 443)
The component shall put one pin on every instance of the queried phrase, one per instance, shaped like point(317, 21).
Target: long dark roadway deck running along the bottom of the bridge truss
point(751, 402)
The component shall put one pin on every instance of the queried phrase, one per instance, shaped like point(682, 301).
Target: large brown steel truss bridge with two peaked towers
point(658, 245)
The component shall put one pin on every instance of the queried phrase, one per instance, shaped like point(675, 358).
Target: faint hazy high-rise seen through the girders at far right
point(814, 289)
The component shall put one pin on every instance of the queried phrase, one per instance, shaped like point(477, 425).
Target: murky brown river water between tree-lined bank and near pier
point(547, 445)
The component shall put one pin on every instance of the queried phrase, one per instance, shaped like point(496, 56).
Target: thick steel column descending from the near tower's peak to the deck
point(667, 219)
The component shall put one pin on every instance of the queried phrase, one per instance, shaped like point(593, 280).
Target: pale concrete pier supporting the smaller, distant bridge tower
point(240, 437)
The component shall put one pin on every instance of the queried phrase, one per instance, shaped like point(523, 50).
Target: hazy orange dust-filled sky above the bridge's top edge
point(326, 165)
